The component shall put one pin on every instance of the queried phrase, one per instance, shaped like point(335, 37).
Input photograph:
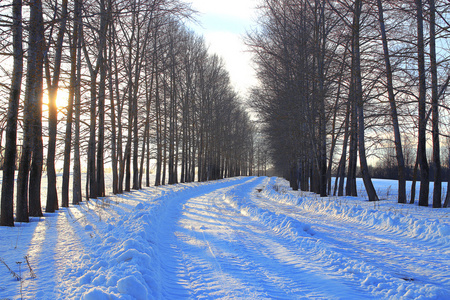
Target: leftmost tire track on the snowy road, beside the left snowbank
point(201, 261)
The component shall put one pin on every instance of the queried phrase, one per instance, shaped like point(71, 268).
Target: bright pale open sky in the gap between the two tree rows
point(224, 25)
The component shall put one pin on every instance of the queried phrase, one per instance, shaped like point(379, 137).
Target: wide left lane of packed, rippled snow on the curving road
point(230, 255)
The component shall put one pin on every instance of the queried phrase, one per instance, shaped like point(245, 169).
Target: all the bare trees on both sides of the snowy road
point(343, 85)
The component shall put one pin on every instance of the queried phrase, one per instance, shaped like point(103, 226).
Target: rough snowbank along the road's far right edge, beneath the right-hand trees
point(434, 228)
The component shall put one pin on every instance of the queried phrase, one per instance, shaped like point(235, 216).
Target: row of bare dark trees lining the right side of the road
point(341, 78)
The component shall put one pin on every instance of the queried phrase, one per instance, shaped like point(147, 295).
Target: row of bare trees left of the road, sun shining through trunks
point(142, 91)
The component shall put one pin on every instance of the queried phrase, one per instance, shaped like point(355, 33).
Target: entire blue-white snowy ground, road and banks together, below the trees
point(240, 238)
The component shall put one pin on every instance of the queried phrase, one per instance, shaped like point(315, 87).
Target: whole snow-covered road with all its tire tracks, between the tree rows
point(237, 242)
